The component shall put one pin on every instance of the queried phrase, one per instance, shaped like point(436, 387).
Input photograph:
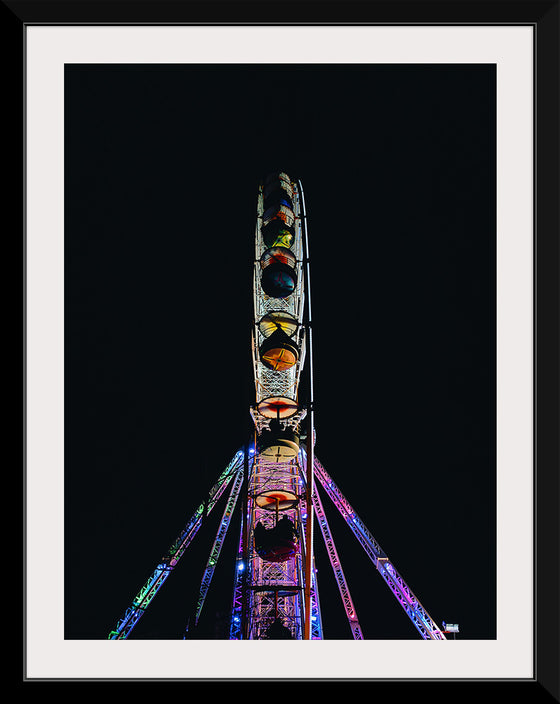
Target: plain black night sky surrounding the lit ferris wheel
point(398, 168)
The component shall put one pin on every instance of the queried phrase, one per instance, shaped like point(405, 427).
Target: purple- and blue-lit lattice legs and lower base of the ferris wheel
point(282, 580)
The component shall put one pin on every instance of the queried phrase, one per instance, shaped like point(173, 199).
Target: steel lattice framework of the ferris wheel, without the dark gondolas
point(278, 591)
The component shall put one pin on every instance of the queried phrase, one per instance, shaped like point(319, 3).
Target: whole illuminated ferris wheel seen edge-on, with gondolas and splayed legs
point(272, 477)
